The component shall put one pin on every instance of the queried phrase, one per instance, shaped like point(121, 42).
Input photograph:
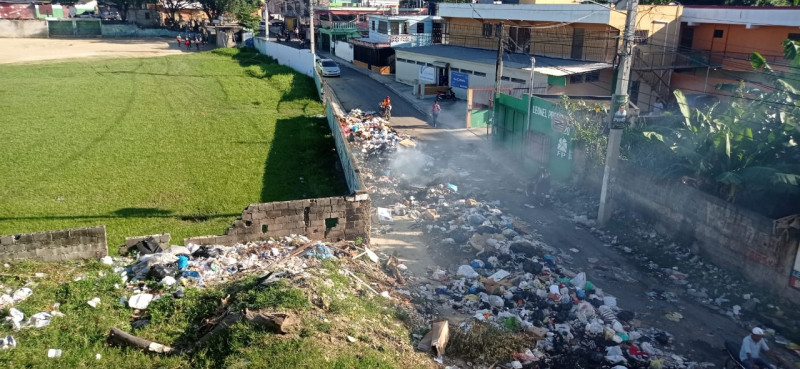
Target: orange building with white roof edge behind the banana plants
point(722, 38)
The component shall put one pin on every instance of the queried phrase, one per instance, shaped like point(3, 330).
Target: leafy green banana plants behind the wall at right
point(748, 150)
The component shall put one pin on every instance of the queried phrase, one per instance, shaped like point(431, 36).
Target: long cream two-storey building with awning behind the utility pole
point(575, 46)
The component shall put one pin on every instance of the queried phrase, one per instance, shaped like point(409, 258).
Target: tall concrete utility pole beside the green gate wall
point(618, 114)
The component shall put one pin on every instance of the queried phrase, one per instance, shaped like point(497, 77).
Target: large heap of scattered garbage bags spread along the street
point(513, 279)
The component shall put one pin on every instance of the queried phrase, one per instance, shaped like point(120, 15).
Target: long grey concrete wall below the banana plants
point(732, 237)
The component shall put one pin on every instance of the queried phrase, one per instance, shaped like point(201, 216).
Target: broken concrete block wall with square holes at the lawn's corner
point(329, 219)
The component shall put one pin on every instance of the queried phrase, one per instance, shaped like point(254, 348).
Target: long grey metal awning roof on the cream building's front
point(544, 64)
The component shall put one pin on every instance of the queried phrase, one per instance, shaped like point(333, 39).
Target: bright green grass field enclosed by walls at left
point(178, 144)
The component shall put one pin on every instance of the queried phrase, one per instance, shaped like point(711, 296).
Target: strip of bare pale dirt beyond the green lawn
point(22, 50)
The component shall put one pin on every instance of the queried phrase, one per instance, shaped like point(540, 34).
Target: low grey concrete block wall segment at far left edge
point(60, 245)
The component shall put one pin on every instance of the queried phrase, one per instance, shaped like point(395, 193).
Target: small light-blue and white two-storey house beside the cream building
point(388, 32)
